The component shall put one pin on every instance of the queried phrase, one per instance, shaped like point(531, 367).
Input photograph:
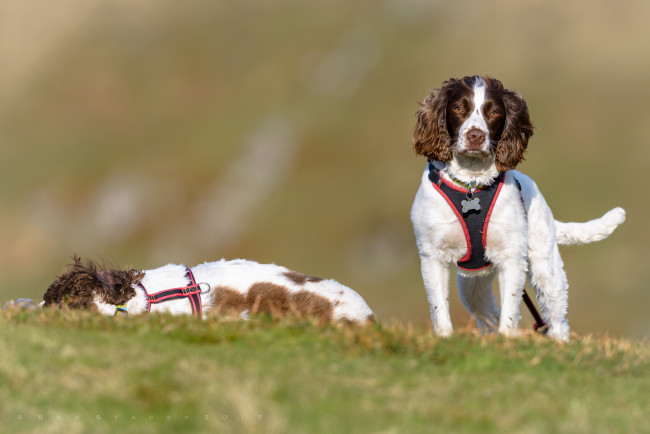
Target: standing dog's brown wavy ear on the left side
point(431, 137)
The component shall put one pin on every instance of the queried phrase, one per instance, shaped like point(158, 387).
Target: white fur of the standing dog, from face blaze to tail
point(522, 240)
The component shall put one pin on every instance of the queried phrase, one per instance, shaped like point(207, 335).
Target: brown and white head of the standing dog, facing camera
point(474, 117)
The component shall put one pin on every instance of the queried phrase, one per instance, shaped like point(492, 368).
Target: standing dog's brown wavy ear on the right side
point(517, 130)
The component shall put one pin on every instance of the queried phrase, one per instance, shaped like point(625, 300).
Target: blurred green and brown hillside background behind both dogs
point(145, 132)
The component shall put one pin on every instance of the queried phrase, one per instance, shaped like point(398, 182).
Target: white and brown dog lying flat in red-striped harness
point(238, 287)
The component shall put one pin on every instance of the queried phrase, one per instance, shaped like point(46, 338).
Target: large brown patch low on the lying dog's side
point(274, 300)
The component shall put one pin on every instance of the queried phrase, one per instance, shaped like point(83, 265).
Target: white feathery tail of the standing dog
point(588, 232)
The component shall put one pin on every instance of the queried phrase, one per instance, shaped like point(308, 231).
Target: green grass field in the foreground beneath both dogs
point(76, 372)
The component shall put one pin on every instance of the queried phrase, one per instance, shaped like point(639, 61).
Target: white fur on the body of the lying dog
point(237, 275)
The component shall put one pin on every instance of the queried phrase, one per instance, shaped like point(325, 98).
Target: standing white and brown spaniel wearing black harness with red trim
point(474, 210)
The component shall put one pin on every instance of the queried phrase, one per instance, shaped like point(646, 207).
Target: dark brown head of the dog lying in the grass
point(83, 286)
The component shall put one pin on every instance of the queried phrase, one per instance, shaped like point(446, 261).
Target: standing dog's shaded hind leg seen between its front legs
point(477, 297)
